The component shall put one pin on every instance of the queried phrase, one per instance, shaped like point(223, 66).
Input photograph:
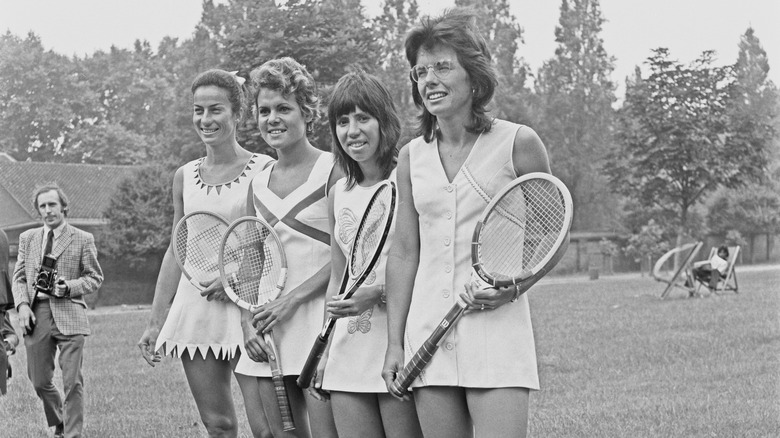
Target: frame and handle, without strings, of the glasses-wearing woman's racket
point(425, 353)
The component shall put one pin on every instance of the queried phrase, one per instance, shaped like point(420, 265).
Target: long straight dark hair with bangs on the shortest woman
point(363, 90)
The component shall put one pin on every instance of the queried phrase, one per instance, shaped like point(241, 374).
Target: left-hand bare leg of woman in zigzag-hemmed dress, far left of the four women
point(209, 381)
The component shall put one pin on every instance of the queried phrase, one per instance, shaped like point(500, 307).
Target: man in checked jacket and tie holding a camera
point(56, 318)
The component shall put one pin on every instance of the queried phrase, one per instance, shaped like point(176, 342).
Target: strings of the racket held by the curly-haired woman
point(252, 259)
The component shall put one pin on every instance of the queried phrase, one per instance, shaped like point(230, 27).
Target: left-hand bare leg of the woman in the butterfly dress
point(356, 414)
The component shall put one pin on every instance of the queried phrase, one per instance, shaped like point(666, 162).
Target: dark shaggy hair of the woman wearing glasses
point(456, 29)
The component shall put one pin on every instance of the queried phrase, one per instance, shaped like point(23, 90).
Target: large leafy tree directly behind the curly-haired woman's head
point(329, 37)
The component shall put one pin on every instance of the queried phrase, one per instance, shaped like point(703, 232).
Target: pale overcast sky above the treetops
point(633, 27)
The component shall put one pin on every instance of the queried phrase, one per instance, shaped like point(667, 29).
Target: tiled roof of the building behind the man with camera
point(89, 187)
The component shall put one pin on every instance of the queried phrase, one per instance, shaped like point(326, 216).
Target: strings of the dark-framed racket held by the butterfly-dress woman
point(370, 230)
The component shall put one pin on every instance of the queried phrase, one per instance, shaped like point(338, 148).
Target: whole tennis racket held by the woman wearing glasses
point(520, 237)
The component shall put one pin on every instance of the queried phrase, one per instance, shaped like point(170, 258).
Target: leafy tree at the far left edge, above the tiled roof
point(41, 99)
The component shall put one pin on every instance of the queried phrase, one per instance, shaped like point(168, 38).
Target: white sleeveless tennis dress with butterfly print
point(358, 347)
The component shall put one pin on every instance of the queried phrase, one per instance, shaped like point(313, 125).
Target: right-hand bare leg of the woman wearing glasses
point(499, 412)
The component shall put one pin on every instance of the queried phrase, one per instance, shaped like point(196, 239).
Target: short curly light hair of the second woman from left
point(288, 76)
